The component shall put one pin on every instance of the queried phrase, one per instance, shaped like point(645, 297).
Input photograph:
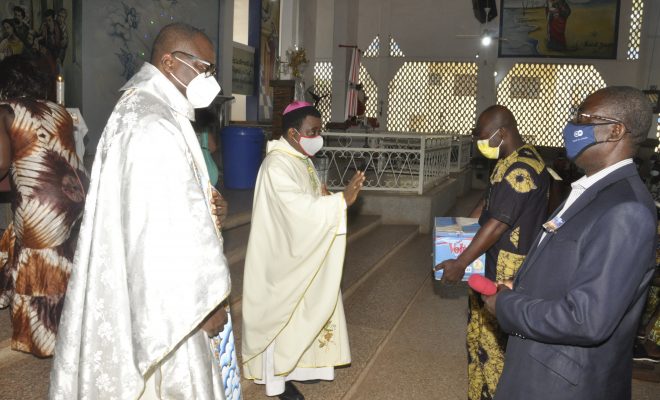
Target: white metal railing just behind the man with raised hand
point(402, 162)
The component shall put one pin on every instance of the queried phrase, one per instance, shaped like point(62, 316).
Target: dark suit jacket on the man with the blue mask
point(578, 297)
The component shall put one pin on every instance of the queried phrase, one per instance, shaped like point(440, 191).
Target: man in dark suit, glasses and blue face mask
point(577, 299)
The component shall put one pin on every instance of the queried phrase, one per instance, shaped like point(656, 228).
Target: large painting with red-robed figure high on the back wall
point(559, 28)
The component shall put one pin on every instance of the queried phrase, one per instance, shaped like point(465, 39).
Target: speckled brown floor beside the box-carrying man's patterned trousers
point(424, 352)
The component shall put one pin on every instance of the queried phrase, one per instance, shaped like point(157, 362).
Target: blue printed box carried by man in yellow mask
point(452, 235)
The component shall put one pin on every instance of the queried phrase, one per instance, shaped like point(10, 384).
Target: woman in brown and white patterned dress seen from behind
point(48, 183)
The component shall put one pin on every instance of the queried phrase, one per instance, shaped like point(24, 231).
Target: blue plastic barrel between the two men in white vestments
point(242, 150)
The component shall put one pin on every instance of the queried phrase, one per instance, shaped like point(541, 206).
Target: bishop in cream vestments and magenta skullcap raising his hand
point(294, 327)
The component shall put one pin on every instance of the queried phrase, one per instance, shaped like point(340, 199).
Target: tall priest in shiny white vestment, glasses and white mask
point(149, 275)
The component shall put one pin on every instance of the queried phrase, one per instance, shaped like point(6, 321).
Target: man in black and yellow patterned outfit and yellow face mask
point(510, 216)
